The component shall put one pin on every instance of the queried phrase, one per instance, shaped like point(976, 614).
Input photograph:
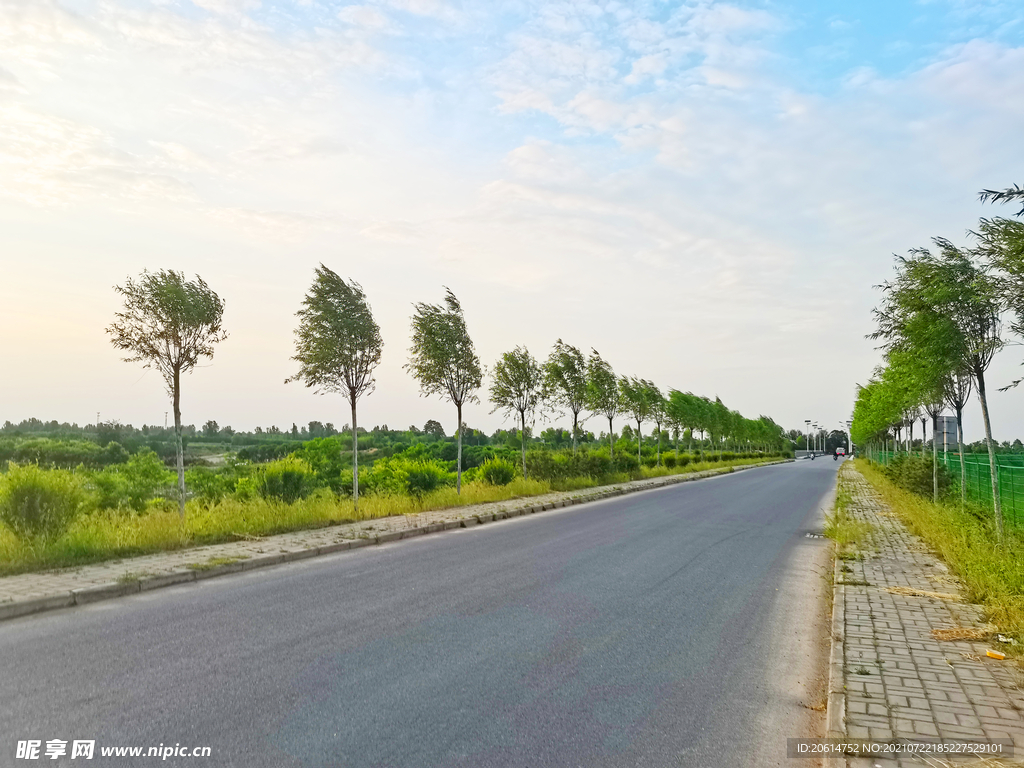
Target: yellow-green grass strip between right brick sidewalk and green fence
point(965, 539)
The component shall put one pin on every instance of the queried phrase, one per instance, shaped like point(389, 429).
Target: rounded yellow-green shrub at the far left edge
point(40, 503)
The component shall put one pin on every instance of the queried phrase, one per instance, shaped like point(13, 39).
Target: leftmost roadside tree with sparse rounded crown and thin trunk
point(169, 324)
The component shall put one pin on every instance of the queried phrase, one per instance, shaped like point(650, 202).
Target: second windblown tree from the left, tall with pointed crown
point(338, 346)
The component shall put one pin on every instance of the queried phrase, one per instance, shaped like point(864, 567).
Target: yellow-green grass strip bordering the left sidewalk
point(104, 536)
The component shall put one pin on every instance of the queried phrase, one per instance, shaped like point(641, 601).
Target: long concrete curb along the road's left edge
point(97, 593)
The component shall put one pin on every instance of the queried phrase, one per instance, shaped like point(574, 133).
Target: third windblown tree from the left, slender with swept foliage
point(444, 361)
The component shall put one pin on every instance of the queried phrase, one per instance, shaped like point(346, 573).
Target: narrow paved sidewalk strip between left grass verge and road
point(31, 593)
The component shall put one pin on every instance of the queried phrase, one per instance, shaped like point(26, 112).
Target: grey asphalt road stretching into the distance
point(680, 627)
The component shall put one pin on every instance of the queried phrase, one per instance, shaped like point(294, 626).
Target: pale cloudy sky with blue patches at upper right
point(705, 192)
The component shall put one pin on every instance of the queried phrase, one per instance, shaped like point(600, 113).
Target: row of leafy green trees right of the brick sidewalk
point(942, 321)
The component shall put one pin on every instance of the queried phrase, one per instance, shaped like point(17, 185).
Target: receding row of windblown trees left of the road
point(170, 323)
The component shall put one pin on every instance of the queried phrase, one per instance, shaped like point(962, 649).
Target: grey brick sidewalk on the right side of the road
point(897, 680)
